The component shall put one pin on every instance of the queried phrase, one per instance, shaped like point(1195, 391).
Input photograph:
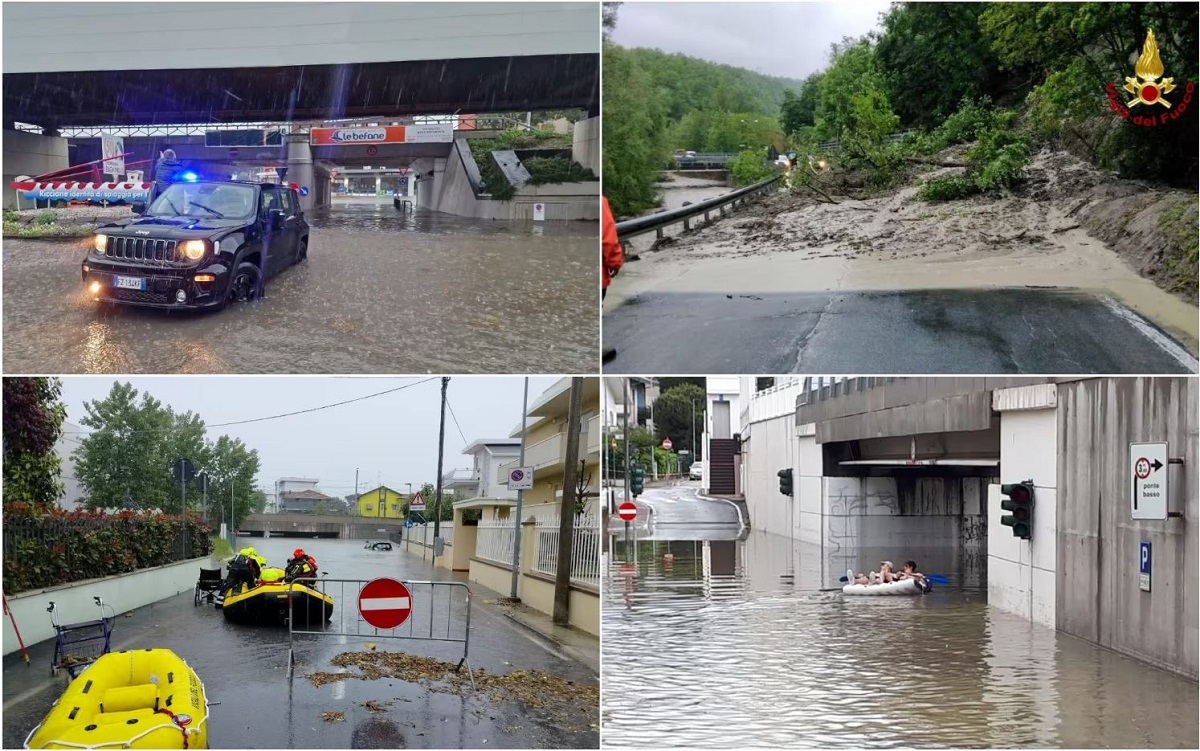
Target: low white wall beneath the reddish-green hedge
point(75, 604)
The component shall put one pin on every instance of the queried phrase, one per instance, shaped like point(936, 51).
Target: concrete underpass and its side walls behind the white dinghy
point(902, 464)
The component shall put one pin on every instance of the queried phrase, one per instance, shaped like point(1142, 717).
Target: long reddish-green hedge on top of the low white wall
point(58, 548)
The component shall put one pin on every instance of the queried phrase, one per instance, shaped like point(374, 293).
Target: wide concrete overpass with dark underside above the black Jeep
point(266, 63)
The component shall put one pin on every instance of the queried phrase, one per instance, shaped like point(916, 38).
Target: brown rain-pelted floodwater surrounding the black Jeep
point(382, 292)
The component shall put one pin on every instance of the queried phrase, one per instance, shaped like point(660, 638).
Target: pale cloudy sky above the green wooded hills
point(778, 39)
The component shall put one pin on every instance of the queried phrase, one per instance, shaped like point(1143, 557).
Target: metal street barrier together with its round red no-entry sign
point(386, 609)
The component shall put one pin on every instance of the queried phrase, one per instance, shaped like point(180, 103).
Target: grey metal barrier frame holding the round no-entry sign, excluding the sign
point(433, 616)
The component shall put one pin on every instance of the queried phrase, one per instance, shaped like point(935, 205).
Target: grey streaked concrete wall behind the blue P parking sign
point(1099, 543)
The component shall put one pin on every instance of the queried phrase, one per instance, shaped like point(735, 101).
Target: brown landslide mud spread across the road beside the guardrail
point(899, 243)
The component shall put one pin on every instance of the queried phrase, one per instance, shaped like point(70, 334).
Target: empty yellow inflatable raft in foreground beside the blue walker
point(146, 699)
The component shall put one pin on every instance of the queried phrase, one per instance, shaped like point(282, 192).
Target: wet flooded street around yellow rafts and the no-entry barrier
point(257, 706)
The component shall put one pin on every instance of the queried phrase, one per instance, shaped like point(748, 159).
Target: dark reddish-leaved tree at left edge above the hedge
point(33, 423)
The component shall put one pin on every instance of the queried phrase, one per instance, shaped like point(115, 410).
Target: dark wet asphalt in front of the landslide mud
point(1035, 332)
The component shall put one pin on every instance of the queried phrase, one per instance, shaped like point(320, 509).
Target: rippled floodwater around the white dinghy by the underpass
point(731, 639)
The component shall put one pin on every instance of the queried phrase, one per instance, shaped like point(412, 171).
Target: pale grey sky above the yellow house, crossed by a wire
point(391, 438)
